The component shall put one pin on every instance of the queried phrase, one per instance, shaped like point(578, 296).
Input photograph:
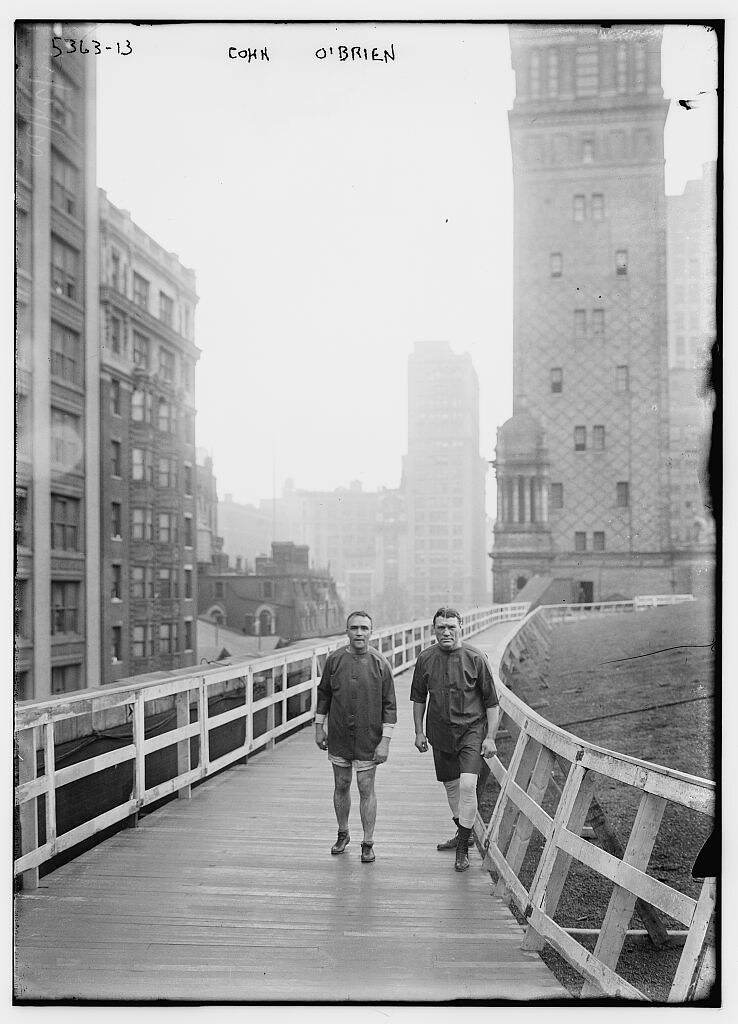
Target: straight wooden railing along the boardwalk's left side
point(274, 696)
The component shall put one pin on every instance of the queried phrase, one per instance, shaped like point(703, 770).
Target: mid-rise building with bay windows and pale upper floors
point(148, 457)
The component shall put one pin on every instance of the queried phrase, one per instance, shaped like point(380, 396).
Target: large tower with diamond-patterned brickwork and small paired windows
point(583, 466)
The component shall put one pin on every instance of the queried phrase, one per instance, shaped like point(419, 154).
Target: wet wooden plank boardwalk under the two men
point(234, 897)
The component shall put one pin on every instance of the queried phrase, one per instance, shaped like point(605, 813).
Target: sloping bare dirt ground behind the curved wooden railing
point(643, 686)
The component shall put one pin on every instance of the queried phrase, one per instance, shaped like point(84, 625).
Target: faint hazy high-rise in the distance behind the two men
point(445, 482)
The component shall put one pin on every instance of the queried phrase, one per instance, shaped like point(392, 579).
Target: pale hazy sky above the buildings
point(335, 214)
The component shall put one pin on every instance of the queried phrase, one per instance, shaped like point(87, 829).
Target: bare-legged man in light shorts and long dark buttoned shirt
point(357, 694)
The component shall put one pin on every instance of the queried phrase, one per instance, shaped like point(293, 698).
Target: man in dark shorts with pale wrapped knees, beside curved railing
point(462, 720)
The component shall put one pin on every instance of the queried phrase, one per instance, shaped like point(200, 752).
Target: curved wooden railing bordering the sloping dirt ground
point(544, 751)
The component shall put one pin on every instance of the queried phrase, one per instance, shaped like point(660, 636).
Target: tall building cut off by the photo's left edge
point(59, 568)
